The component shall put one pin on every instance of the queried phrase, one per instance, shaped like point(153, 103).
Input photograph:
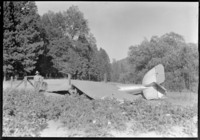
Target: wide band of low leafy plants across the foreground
point(26, 113)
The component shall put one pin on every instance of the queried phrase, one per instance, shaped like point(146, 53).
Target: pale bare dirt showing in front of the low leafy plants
point(55, 129)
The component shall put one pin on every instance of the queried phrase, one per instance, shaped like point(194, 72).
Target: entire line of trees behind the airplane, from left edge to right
point(60, 43)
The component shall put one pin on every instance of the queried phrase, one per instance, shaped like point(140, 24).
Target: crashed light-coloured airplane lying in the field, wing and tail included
point(150, 87)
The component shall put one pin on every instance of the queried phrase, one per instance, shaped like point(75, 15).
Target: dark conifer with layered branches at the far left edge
point(22, 43)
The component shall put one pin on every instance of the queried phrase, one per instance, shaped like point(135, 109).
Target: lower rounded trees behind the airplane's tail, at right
point(180, 60)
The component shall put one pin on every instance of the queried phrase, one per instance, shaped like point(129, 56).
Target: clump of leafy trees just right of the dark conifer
point(71, 47)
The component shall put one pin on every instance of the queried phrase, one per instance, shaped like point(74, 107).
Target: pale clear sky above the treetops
point(118, 25)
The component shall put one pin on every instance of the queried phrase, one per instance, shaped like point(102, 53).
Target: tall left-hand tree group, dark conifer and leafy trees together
point(54, 44)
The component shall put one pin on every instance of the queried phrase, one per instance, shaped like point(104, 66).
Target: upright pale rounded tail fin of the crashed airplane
point(153, 79)
